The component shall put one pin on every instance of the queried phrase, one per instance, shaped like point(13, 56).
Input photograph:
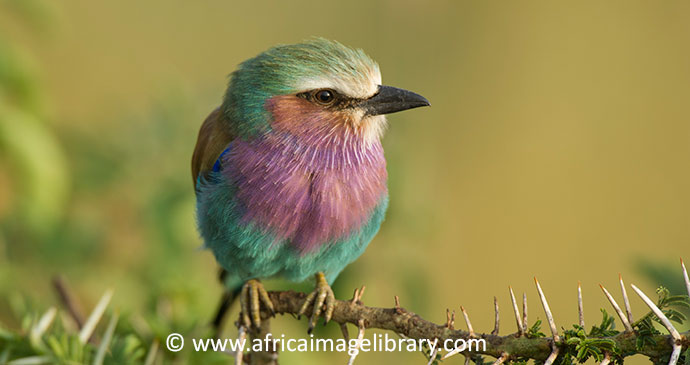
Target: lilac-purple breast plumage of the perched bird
point(308, 190)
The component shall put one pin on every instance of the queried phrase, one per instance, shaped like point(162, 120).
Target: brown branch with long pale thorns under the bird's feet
point(519, 346)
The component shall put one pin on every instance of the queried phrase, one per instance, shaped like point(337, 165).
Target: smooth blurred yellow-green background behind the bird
point(557, 146)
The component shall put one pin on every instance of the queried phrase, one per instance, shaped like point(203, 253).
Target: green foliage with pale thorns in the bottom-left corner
point(50, 339)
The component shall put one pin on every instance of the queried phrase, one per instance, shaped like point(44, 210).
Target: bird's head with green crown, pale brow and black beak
point(313, 88)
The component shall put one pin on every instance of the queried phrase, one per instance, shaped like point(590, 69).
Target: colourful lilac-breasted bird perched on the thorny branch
point(289, 171)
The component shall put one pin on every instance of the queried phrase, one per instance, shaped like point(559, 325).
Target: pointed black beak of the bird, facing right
point(390, 99)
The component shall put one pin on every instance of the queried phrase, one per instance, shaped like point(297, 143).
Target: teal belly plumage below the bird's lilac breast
point(247, 251)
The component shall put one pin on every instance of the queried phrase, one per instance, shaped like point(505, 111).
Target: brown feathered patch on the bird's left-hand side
point(214, 137)
